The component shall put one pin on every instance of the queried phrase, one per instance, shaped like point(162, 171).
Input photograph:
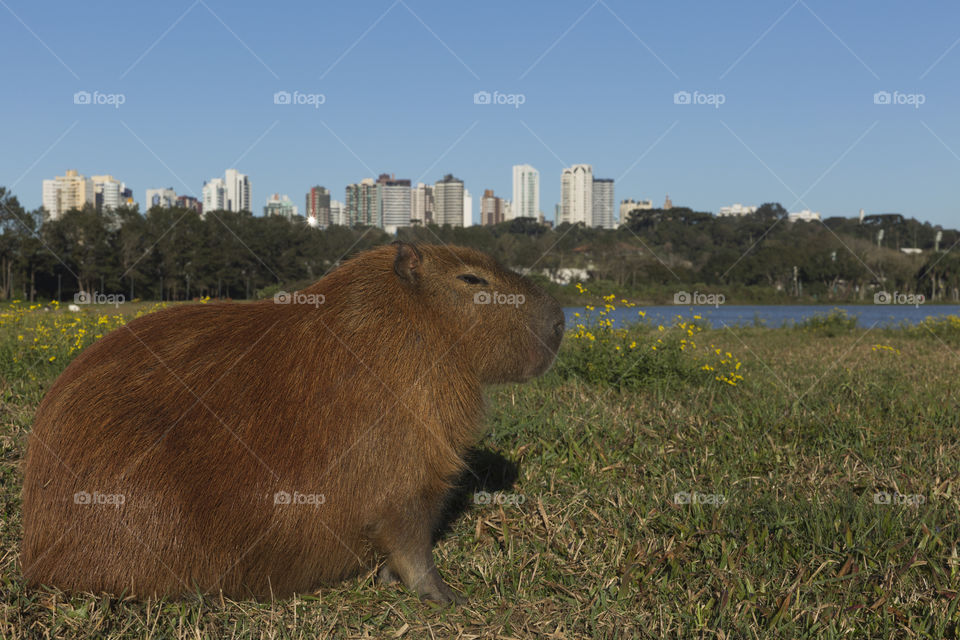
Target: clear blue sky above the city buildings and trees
point(798, 123)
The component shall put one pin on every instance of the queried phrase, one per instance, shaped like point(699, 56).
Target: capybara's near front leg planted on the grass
point(406, 541)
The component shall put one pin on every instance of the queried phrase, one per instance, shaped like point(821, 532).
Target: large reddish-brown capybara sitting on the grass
point(270, 448)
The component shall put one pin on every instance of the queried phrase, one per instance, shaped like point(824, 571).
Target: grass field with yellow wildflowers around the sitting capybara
point(729, 483)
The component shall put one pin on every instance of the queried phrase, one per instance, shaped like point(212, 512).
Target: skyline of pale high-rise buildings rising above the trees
point(387, 202)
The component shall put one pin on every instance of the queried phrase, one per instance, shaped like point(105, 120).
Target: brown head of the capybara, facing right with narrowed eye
point(507, 327)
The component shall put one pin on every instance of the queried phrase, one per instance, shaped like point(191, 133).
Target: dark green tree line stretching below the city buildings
point(176, 254)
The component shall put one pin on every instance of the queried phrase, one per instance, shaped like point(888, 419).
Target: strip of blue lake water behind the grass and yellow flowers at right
point(868, 315)
